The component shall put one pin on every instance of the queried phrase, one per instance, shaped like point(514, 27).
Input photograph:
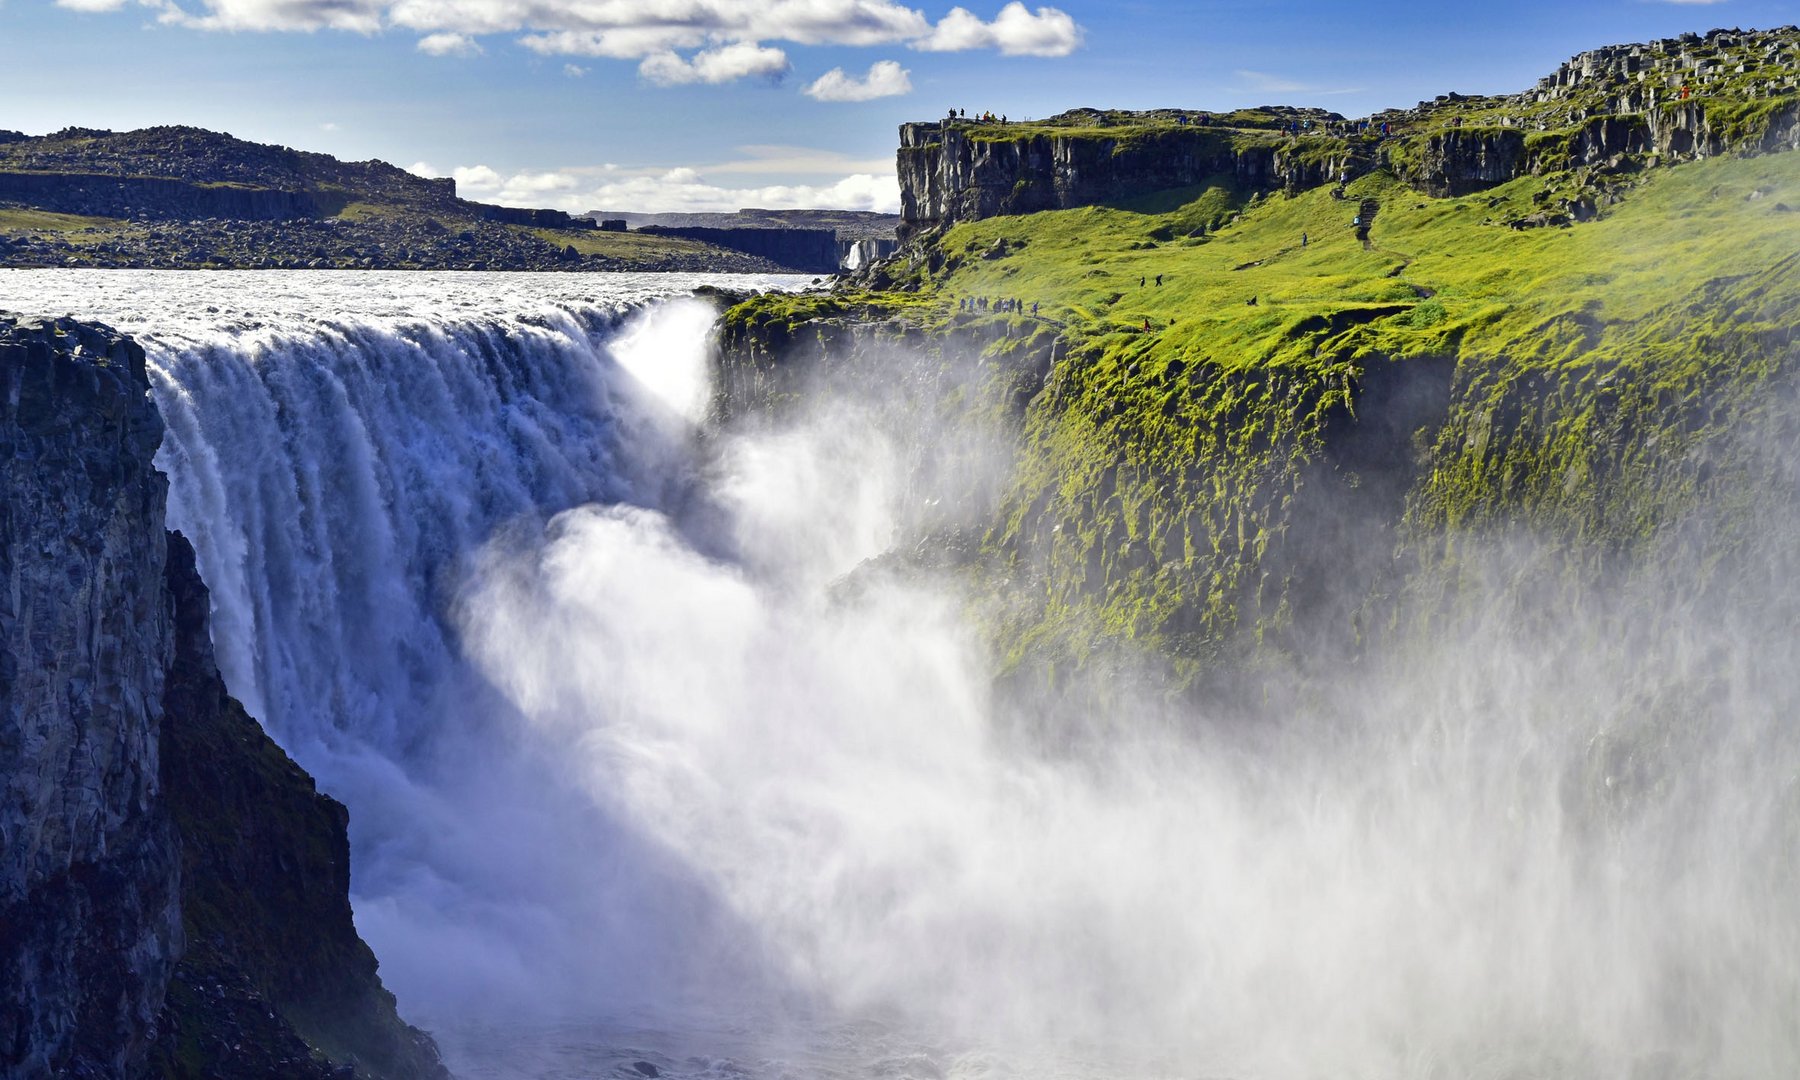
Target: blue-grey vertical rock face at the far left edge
point(89, 867)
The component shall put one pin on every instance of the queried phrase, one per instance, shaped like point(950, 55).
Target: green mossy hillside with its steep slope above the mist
point(1189, 460)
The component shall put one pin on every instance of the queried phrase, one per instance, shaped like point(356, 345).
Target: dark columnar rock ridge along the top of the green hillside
point(1610, 111)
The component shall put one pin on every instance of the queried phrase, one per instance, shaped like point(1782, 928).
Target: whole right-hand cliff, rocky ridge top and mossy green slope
point(1268, 417)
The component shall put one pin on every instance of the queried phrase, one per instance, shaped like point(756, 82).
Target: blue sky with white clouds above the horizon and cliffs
point(714, 105)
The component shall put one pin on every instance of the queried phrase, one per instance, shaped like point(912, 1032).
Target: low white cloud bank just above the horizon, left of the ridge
point(611, 188)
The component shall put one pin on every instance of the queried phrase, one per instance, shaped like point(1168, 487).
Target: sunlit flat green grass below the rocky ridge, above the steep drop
point(1084, 265)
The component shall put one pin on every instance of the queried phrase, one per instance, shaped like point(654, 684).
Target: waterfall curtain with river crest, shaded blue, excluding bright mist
point(343, 476)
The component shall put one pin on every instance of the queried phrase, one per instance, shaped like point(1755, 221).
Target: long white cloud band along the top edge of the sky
point(652, 31)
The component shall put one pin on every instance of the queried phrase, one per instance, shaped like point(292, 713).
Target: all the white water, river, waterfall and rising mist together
point(618, 751)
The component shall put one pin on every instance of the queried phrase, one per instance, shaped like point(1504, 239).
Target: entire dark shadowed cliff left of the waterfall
point(174, 892)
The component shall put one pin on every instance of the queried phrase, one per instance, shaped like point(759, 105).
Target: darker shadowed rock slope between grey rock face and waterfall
point(274, 966)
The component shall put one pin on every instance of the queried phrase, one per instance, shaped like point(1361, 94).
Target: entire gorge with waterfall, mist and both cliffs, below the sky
point(1221, 624)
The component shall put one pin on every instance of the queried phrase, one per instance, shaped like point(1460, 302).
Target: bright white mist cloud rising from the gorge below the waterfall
point(1554, 838)
